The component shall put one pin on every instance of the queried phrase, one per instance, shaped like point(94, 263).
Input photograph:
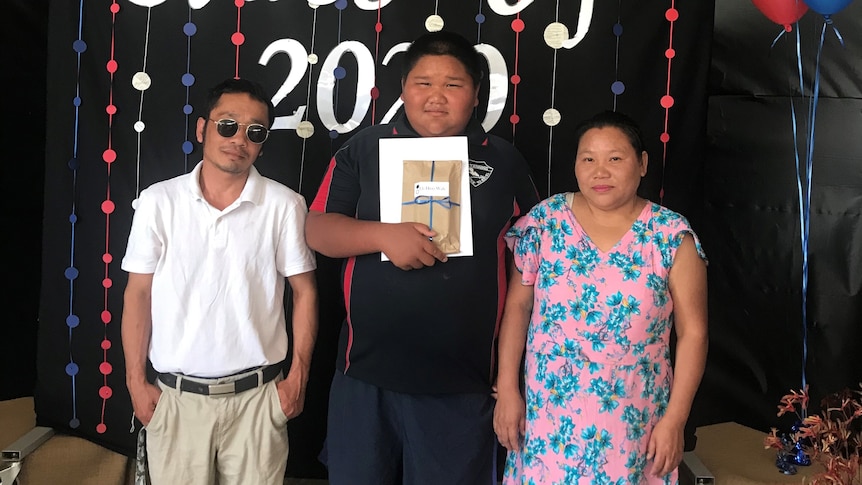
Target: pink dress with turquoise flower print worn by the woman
point(598, 371)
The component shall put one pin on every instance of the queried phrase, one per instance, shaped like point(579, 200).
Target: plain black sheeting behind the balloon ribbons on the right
point(751, 220)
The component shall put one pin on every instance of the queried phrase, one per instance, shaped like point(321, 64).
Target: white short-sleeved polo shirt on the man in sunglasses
point(218, 276)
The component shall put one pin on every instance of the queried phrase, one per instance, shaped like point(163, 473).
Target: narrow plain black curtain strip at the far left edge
point(23, 137)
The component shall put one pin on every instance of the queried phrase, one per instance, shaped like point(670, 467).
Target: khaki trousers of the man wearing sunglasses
point(229, 440)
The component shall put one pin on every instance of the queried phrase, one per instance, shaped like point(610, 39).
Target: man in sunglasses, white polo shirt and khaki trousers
point(207, 258)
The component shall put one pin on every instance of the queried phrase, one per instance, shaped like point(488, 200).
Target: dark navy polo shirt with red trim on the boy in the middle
point(431, 330)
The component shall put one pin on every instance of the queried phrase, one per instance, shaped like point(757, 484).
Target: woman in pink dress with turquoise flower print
point(601, 279)
